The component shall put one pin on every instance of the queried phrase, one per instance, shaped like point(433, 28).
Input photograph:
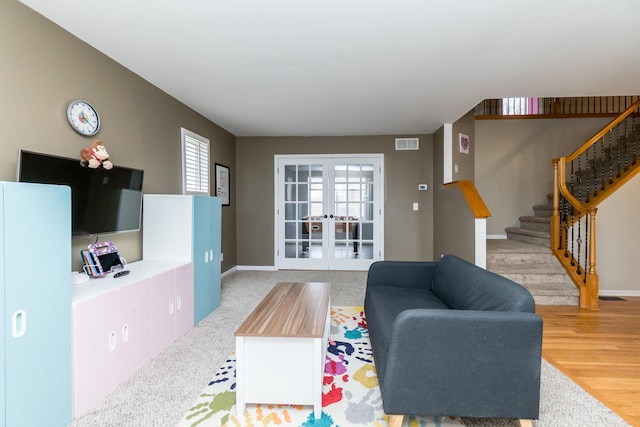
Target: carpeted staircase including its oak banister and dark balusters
point(582, 180)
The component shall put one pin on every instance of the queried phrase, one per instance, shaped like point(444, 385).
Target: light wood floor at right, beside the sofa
point(599, 350)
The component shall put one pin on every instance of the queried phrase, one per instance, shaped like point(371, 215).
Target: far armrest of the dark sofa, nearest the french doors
point(411, 274)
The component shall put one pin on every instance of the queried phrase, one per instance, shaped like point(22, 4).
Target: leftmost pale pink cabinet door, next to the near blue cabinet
point(96, 341)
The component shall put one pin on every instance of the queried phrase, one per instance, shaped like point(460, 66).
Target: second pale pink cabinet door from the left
point(135, 326)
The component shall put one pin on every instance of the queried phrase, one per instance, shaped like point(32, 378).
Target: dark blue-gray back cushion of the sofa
point(465, 286)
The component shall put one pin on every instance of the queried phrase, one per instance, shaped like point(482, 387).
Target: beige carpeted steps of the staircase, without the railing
point(525, 258)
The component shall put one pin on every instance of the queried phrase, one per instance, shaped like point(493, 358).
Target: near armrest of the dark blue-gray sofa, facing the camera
point(465, 363)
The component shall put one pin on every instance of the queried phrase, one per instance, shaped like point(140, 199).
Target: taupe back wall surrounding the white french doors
point(408, 234)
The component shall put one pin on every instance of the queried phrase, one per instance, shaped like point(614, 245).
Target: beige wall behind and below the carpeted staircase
point(514, 160)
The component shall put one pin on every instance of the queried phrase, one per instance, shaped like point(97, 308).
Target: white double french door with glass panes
point(329, 212)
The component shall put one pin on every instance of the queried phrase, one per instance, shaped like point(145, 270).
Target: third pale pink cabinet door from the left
point(163, 311)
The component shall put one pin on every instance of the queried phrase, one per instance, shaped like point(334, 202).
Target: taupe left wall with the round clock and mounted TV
point(44, 68)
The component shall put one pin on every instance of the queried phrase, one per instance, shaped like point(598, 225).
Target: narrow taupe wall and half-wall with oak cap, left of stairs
point(454, 224)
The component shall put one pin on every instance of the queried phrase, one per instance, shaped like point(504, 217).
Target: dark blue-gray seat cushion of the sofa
point(382, 305)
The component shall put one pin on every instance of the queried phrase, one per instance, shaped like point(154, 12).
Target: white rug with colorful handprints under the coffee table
point(351, 396)
